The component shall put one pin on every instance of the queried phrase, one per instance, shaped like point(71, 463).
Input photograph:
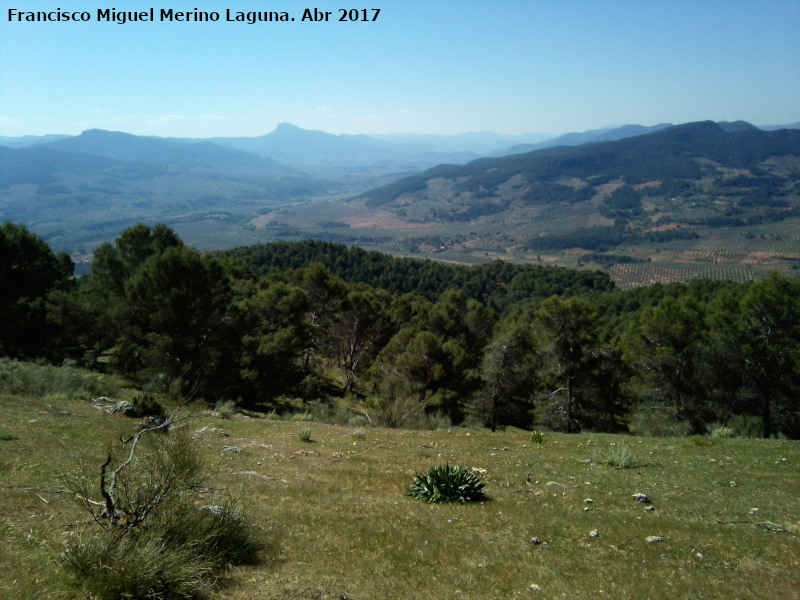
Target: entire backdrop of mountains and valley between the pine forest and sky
point(610, 197)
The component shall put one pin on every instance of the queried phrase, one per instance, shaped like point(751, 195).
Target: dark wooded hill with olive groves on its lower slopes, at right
point(688, 201)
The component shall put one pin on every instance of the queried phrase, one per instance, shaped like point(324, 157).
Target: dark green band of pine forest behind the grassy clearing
point(338, 331)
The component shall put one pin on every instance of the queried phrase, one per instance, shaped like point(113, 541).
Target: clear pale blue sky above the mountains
point(433, 66)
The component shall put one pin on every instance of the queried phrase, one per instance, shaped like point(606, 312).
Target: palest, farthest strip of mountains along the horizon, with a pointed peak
point(294, 146)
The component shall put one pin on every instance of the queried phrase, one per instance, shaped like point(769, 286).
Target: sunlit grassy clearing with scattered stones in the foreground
point(339, 523)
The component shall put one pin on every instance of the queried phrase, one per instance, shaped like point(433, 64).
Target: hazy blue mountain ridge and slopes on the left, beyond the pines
point(76, 192)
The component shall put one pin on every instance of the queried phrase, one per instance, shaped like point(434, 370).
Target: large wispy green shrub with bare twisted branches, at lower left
point(150, 537)
